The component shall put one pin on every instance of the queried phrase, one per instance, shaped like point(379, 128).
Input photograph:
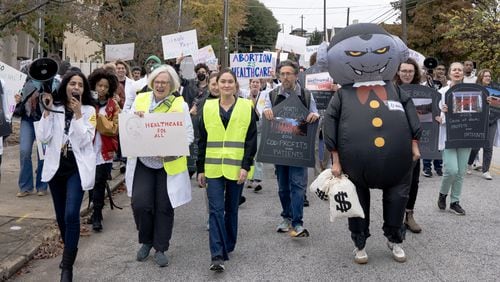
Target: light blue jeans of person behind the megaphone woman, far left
point(27, 137)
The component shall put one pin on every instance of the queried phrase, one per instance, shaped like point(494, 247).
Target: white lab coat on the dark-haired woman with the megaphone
point(81, 133)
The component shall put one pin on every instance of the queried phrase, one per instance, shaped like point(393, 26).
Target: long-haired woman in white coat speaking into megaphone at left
point(67, 127)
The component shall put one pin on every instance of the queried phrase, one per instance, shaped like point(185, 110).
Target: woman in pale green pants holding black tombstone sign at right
point(454, 159)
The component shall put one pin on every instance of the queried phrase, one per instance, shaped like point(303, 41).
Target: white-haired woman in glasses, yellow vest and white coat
point(158, 184)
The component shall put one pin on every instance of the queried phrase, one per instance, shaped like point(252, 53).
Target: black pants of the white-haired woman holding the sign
point(153, 212)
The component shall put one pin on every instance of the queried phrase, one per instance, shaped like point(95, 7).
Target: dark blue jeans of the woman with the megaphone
point(67, 195)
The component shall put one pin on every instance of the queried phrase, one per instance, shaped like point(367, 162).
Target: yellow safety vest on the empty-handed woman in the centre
point(226, 146)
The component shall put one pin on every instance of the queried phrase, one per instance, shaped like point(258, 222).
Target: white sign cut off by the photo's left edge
point(13, 83)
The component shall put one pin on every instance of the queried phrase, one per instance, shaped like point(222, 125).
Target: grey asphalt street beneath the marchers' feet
point(450, 247)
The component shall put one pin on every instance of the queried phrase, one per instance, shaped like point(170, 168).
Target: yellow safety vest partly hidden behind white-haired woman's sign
point(142, 103)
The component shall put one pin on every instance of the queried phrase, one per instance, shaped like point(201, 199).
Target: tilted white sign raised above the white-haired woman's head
point(179, 44)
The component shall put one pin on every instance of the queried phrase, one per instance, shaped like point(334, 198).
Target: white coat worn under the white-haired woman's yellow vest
point(179, 185)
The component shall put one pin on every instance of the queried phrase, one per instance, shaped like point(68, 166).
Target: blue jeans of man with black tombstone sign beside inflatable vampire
point(292, 183)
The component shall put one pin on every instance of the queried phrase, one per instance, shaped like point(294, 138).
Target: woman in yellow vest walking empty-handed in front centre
point(226, 149)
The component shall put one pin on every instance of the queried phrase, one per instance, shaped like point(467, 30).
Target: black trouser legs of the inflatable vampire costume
point(394, 200)
